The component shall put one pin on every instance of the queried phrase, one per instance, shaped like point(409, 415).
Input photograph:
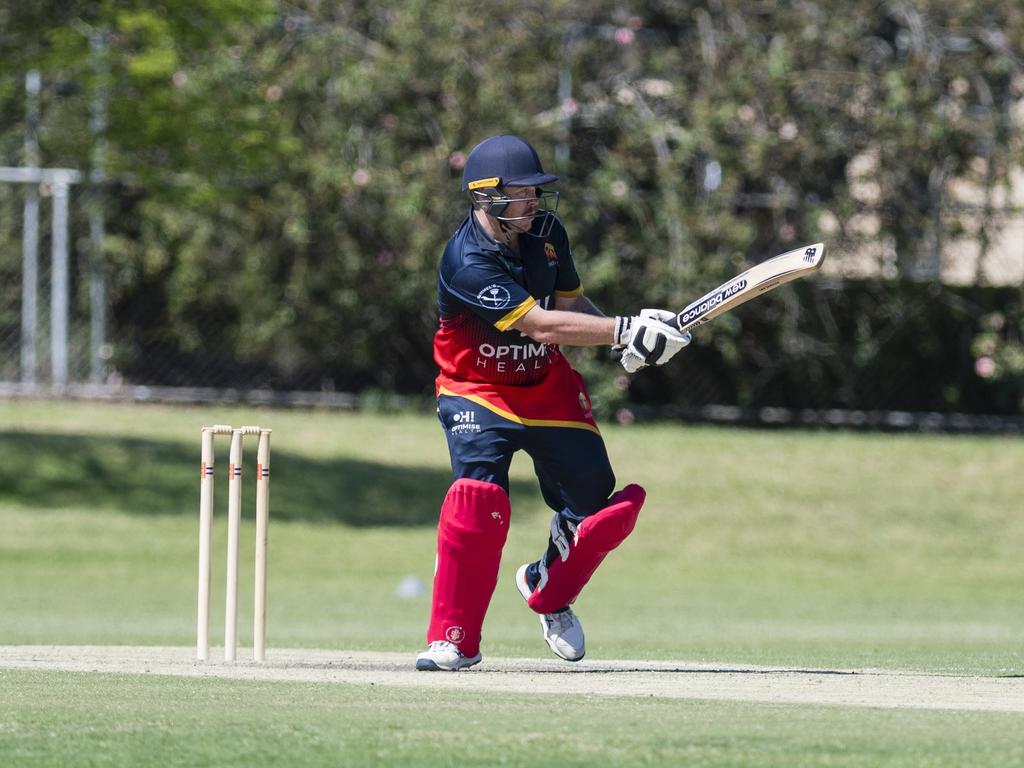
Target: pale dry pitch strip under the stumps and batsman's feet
point(876, 689)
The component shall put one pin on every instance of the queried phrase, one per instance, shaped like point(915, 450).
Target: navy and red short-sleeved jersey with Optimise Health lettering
point(483, 289)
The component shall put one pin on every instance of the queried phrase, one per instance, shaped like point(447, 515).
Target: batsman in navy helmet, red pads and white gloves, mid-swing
point(508, 296)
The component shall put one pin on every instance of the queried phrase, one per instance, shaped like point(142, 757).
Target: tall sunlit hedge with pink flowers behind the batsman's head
point(284, 177)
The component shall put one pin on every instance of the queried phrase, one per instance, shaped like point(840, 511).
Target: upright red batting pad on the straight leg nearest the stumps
point(472, 533)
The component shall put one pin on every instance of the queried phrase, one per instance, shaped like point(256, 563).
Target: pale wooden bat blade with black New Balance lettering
point(751, 284)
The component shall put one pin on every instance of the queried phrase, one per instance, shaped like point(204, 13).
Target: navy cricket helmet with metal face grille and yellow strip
point(504, 161)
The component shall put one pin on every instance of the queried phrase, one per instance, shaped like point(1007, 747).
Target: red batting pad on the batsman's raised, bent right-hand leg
point(596, 537)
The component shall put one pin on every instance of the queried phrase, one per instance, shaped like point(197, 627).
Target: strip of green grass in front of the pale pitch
point(101, 720)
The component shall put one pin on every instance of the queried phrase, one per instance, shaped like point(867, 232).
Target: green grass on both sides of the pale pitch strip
point(819, 550)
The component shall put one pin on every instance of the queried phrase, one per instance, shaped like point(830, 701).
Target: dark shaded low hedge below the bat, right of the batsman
point(861, 346)
